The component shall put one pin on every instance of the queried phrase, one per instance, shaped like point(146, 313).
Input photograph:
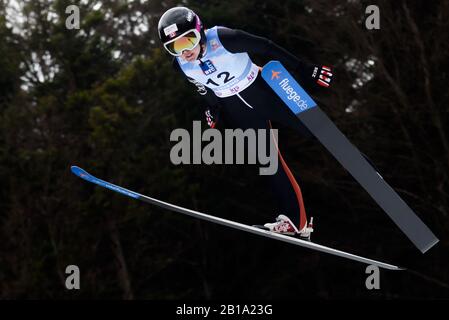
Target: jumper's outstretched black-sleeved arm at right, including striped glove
point(235, 41)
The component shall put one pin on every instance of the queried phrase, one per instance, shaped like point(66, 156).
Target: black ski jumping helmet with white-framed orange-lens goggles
point(181, 29)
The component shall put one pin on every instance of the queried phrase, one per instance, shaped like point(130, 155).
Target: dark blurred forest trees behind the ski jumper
point(105, 97)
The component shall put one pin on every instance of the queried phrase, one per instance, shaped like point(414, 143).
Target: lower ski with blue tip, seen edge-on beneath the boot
point(236, 225)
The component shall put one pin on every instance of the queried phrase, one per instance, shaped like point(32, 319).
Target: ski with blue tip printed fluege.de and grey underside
point(308, 112)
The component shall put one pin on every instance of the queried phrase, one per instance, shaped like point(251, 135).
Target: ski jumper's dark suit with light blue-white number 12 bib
point(236, 94)
